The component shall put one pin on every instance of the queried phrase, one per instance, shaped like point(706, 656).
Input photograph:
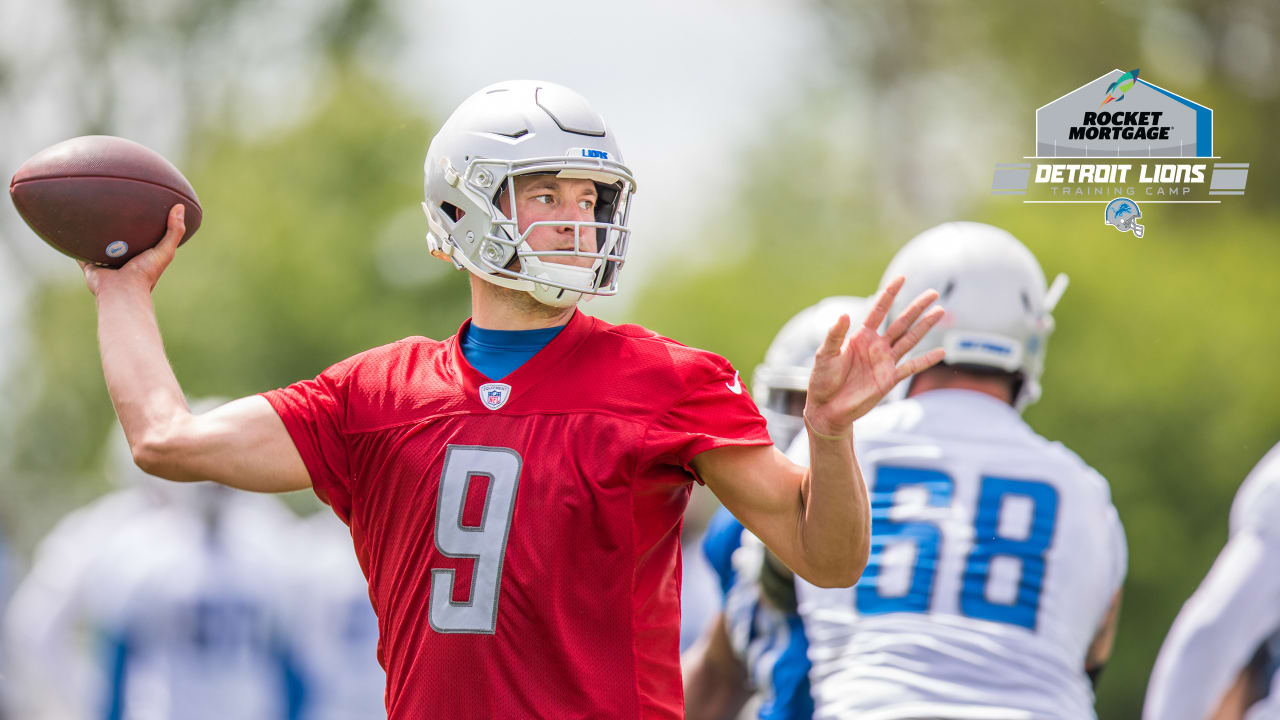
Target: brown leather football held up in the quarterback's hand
point(102, 199)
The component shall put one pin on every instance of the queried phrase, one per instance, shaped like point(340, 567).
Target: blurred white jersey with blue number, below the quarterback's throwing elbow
point(190, 613)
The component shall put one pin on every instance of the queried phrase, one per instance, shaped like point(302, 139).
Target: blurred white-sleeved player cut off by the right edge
point(1222, 658)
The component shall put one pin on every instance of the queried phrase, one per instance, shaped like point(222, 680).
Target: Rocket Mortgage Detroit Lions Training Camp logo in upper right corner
point(1121, 138)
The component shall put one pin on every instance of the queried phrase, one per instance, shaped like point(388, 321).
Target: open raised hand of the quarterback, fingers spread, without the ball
point(853, 376)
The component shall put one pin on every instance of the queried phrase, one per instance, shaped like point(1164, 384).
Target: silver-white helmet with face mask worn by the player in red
point(525, 127)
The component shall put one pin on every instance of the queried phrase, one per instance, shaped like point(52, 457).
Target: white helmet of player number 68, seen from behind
point(998, 308)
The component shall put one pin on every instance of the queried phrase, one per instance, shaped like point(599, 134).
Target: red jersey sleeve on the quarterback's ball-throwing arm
point(314, 413)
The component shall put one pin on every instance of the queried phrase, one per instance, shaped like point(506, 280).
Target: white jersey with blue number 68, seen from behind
point(995, 559)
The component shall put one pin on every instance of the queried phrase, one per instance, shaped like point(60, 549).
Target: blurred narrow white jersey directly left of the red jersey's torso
point(333, 627)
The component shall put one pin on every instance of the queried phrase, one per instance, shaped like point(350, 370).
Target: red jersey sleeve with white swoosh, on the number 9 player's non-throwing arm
point(715, 412)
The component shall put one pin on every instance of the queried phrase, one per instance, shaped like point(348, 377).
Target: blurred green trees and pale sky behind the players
point(784, 153)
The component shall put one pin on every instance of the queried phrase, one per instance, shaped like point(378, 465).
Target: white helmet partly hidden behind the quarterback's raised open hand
point(781, 382)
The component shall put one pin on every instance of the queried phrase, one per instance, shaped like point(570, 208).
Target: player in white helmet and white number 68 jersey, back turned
point(998, 558)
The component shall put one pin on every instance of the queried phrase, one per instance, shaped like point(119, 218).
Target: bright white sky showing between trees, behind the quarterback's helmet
point(685, 85)
